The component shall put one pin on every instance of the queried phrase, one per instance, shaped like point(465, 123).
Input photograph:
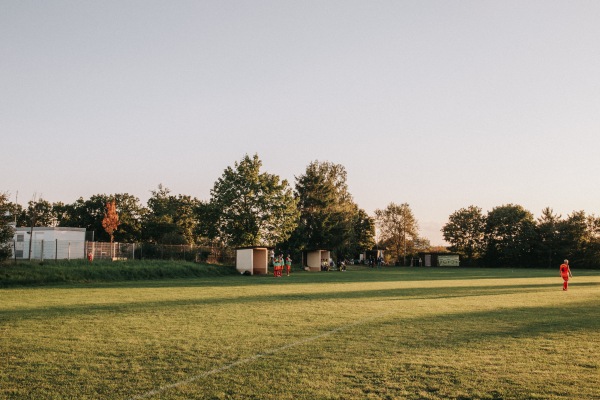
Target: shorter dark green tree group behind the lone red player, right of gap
point(509, 235)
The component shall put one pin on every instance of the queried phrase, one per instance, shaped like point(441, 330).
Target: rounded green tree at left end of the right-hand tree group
point(465, 233)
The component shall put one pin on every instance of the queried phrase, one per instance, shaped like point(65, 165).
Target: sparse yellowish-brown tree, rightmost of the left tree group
point(398, 228)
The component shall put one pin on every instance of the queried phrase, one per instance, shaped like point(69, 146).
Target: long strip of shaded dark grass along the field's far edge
point(178, 275)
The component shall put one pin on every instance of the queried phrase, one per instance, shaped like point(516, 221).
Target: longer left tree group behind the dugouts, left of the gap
point(247, 207)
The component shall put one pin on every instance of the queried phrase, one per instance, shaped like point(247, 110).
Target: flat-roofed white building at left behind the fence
point(49, 243)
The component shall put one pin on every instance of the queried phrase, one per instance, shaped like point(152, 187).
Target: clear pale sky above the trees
point(438, 104)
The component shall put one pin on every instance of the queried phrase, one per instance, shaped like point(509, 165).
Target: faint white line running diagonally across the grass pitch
point(252, 358)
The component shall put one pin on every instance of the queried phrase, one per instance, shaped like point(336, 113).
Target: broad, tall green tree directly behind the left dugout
point(249, 207)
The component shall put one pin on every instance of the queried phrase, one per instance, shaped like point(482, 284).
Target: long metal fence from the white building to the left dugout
point(72, 250)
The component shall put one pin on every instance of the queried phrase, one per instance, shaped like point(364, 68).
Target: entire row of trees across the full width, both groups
point(250, 207)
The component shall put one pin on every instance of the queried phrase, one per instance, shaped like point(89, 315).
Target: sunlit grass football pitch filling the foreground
point(396, 333)
